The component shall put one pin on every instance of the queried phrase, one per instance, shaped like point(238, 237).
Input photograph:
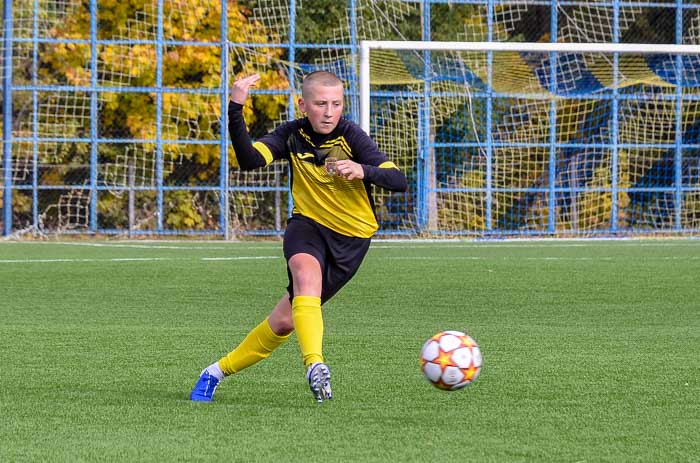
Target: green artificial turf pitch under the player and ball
point(591, 353)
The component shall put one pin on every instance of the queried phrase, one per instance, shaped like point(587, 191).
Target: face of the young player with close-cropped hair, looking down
point(323, 106)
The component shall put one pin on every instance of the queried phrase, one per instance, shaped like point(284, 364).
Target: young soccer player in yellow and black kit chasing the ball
point(333, 164)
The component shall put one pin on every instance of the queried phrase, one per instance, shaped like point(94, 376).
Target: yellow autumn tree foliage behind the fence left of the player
point(131, 87)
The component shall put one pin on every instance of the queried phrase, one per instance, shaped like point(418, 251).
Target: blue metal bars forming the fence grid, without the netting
point(423, 187)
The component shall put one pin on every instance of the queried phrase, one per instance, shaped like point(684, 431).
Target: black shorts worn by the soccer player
point(340, 256)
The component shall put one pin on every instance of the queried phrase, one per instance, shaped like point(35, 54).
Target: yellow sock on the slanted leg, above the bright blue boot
point(258, 345)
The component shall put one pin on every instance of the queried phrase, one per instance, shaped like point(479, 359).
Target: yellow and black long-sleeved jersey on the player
point(345, 206)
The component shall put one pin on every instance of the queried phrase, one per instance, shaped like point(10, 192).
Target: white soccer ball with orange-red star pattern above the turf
point(450, 360)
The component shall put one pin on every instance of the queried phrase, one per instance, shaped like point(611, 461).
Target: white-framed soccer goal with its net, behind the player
point(539, 138)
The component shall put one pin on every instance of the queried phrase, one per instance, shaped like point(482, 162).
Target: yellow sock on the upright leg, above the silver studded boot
point(308, 323)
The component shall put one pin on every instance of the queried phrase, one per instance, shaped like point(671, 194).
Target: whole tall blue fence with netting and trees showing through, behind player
point(113, 121)
